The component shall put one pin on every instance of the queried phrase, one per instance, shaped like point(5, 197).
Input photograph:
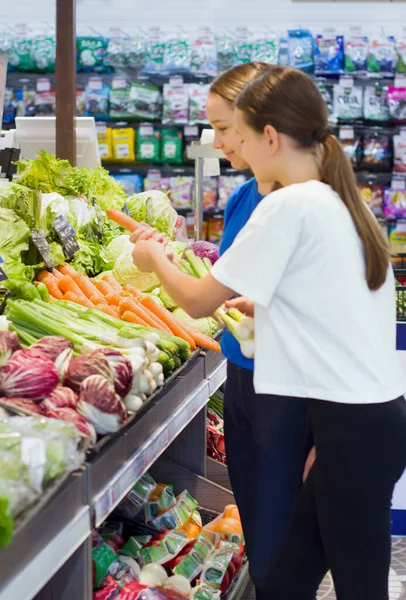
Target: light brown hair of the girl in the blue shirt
point(231, 83)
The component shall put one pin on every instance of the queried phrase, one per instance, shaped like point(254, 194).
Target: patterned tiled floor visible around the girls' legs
point(397, 579)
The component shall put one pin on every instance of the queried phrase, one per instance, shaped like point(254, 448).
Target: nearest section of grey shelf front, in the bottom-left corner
point(45, 539)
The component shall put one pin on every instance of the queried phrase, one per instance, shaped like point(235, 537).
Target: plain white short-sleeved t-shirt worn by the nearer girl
point(319, 331)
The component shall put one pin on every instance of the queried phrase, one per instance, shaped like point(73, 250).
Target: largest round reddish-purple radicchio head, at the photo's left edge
point(28, 374)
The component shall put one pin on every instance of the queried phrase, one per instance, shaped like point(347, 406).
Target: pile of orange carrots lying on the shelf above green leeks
point(123, 302)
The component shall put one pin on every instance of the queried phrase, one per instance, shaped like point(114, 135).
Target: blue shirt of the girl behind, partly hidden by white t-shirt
point(240, 206)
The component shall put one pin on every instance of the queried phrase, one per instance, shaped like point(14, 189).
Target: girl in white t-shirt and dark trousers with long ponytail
point(314, 264)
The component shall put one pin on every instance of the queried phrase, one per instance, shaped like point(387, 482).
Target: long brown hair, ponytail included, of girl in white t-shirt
point(288, 100)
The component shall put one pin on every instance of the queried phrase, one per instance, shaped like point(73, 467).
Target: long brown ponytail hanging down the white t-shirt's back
point(336, 170)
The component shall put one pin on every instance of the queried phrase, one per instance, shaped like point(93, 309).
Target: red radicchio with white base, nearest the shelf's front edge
point(100, 405)
